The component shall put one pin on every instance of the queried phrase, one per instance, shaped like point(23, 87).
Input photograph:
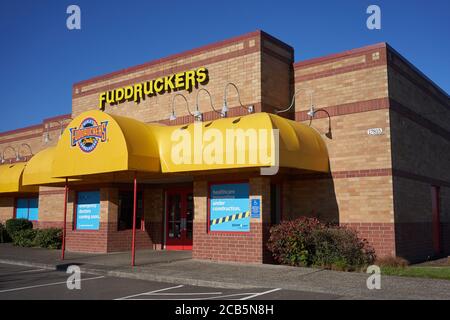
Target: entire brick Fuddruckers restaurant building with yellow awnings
point(365, 143)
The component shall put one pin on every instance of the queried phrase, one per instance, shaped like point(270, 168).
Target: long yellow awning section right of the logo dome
point(241, 142)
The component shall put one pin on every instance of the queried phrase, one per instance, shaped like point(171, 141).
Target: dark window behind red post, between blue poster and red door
point(126, 199)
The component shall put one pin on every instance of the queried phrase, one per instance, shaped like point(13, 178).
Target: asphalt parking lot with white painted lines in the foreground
point(18, 282)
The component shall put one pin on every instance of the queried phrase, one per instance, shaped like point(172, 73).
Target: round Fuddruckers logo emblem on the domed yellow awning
point(89, 134)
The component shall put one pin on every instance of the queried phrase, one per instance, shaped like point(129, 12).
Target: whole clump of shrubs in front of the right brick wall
point(307, 242)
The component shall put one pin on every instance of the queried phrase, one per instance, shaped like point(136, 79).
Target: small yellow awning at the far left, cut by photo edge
point(11, 178)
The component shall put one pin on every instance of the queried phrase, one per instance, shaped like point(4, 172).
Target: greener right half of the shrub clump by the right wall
point(339, 248)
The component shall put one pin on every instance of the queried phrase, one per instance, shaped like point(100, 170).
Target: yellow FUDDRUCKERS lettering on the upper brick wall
point(179, 81)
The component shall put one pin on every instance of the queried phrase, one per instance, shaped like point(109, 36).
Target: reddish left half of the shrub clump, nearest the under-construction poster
point(291, 241)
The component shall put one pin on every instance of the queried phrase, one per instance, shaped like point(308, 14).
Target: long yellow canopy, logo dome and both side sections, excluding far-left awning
point(96, 143)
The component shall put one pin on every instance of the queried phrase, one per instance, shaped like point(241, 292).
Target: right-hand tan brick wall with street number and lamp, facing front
point(352, 87)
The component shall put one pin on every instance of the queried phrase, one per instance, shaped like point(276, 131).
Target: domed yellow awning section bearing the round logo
point(96, 143)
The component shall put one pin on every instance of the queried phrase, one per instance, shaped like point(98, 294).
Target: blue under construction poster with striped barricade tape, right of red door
point(229, 207)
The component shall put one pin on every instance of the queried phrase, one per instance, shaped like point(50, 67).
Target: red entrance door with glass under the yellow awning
point(180, 216)
